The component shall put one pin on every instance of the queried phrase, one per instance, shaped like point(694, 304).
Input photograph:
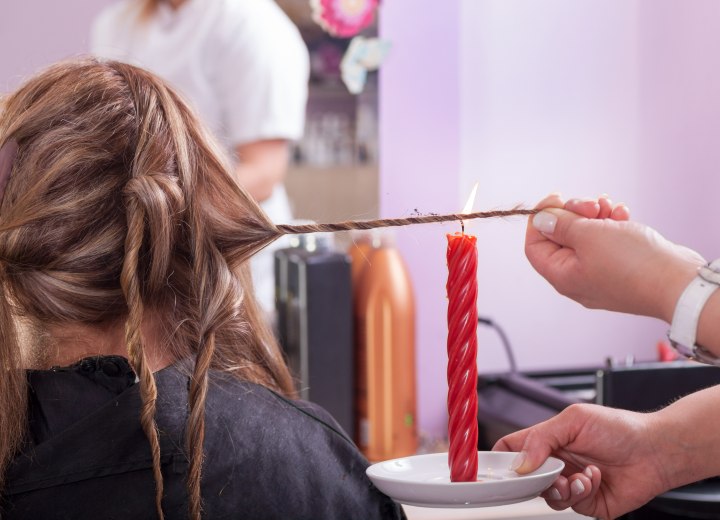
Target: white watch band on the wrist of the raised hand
point(683, 330)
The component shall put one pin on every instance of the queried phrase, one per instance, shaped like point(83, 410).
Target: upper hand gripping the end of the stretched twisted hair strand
point(589, 251)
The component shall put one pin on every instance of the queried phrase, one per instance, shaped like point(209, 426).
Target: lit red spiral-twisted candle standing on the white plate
point(462, 357)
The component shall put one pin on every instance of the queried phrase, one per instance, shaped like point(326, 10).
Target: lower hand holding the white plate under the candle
point(612, 459)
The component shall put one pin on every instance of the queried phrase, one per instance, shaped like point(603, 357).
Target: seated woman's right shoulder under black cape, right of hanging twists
point(283, 455)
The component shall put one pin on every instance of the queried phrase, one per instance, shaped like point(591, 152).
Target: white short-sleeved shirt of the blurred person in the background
point(241, 64)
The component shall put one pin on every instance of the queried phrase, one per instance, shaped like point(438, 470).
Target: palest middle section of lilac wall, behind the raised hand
point(549, 103)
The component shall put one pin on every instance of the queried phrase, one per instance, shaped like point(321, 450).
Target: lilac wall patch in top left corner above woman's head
point(34, 34)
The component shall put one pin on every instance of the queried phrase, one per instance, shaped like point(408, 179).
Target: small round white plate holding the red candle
point(424, 480)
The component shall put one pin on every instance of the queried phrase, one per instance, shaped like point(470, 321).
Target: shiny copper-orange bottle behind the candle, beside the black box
point(385, 356)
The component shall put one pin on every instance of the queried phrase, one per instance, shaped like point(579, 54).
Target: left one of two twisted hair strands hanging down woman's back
point(133, 337)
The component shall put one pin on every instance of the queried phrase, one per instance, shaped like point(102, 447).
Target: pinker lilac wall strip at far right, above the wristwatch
point(679, 46)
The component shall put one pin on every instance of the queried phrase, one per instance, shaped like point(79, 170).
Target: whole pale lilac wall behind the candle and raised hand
point(582, 97)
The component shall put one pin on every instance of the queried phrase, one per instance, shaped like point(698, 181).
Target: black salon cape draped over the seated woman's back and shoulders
point(266, 457)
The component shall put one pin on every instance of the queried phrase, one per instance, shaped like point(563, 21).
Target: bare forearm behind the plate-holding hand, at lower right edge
point(687, 439)
